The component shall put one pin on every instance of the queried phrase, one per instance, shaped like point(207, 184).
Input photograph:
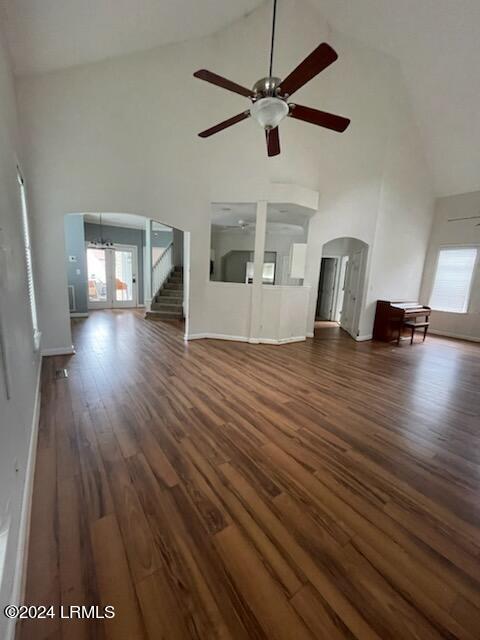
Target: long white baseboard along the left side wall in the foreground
point(18, 591)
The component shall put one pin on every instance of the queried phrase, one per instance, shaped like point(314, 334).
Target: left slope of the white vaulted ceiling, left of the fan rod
point(50, 34)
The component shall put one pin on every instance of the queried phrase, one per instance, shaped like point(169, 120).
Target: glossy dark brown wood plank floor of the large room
point(326, 489)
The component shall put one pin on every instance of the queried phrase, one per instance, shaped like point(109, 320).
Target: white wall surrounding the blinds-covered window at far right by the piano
point(466, 232)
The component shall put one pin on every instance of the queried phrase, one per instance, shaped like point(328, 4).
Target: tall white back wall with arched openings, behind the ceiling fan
point(119, 135)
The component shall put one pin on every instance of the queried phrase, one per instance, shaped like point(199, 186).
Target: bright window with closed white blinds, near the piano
point(453, 279)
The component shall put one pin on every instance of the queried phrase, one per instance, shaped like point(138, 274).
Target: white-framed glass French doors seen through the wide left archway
point(112, 277)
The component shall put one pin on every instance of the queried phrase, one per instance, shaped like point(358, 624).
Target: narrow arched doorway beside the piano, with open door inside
point(340, 285)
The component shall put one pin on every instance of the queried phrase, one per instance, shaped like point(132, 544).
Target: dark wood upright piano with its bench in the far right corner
point(393, 319)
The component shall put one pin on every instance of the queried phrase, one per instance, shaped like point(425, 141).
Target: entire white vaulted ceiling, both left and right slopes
point(436, 41)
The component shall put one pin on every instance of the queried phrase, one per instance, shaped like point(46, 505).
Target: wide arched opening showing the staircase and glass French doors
point(123, 260)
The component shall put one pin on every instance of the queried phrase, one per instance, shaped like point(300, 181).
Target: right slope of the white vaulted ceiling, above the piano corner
point(438, 45)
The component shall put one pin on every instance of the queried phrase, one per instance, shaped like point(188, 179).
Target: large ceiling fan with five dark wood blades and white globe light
point(269, 96)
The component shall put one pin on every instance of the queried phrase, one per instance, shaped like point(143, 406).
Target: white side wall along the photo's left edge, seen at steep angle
point(16, 414)
